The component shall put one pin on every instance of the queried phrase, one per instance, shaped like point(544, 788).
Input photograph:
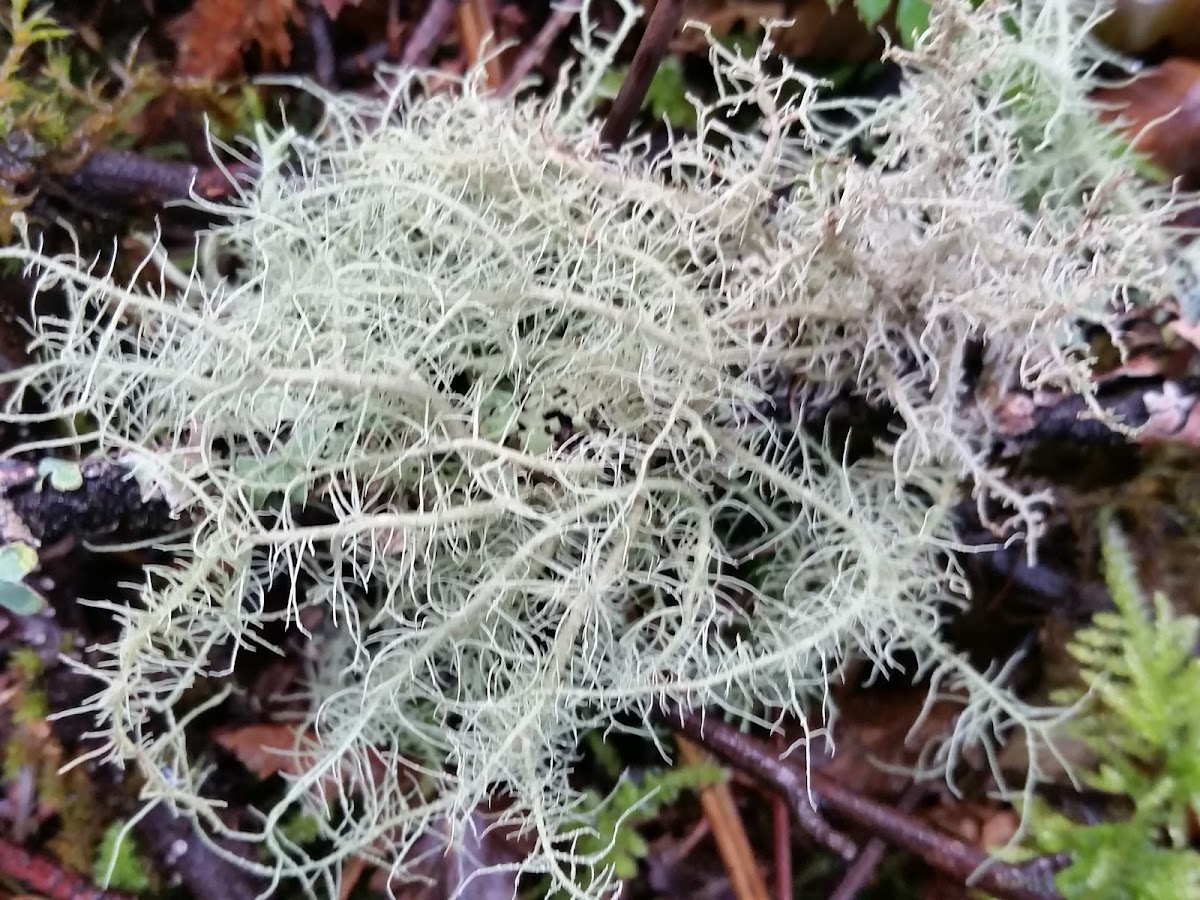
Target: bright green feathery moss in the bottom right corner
point(1141, 694)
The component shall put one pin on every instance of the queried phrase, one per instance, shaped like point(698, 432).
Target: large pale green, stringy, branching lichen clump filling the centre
point(491, 397)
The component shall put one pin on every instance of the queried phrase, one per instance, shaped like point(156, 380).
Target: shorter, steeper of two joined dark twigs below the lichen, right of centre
point(752, 758)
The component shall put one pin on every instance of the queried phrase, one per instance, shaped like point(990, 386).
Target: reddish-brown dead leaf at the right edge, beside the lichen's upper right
point(1160, 111)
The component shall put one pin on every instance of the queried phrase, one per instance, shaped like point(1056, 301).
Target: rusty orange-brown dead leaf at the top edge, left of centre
point(214, 34)
